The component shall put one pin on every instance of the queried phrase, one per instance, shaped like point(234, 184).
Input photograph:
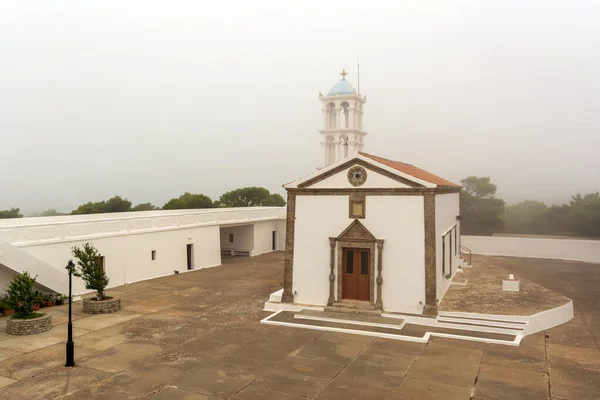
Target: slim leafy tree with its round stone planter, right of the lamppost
point(90, 269)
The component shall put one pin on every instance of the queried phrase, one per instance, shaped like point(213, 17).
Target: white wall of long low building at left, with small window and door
point(127, 258)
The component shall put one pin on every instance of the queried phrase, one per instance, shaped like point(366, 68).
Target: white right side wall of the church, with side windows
point(446, 209)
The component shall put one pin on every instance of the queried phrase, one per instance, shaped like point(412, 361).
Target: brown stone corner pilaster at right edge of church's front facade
point(430, 255)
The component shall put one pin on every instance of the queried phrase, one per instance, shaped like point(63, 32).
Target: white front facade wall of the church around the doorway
point(396, 219)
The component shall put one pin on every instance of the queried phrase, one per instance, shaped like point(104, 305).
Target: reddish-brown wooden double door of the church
point(356, 284)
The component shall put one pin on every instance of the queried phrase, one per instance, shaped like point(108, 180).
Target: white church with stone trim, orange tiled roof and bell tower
point(364, 231)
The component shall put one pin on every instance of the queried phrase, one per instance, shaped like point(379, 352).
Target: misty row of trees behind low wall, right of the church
point(484, 214)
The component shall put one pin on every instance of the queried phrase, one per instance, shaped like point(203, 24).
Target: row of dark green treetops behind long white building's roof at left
point(252, 196)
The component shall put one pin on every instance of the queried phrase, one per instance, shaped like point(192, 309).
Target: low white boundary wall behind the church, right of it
point(560, 249)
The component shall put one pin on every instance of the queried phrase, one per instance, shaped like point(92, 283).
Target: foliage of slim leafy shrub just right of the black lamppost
point(89, 269)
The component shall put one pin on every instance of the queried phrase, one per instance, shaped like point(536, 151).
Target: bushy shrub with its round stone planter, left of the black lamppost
point(23, 297)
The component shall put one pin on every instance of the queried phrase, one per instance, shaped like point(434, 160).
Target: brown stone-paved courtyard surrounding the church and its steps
point(196, 336)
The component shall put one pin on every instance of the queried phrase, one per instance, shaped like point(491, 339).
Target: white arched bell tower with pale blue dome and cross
point(342, 134)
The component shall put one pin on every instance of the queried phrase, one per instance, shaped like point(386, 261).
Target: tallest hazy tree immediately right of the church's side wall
point(479, 209)
